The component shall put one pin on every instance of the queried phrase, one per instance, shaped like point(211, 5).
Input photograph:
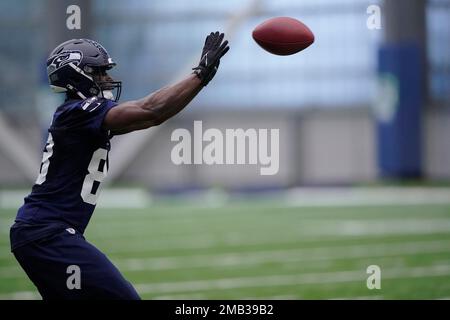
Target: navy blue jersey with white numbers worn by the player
point(74, 163)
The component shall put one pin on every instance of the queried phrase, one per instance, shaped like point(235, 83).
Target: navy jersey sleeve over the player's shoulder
point(86, 116)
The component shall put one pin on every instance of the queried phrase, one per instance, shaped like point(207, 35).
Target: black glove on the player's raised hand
point(213, 50)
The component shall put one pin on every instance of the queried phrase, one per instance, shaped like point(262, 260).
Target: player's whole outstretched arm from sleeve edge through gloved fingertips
point(163, 104)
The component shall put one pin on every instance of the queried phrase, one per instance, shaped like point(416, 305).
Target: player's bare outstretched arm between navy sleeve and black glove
point(153, 109)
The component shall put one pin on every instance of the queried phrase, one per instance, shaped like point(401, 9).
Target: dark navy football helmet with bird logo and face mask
point(73, 67)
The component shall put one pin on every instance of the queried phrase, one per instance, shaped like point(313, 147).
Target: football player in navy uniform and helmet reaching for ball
point(47, 236)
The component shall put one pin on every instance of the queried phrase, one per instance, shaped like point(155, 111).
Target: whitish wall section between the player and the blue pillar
point(317, 147)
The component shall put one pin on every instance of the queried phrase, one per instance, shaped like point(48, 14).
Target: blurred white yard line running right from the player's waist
point(346, 228)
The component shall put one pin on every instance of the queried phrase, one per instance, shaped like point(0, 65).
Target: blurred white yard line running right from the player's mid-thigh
point(257, 258)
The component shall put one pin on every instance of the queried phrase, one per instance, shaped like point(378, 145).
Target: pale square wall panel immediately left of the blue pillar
point(337, 147)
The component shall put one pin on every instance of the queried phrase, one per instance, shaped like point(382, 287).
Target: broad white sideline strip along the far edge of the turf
point(297, 197)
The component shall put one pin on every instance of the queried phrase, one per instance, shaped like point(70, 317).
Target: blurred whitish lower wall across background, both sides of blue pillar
point(316, 147)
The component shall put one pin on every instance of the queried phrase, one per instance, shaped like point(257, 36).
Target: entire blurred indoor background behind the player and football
point(364, 120)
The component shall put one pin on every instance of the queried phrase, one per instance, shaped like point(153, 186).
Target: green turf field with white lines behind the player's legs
point(263, 250)
